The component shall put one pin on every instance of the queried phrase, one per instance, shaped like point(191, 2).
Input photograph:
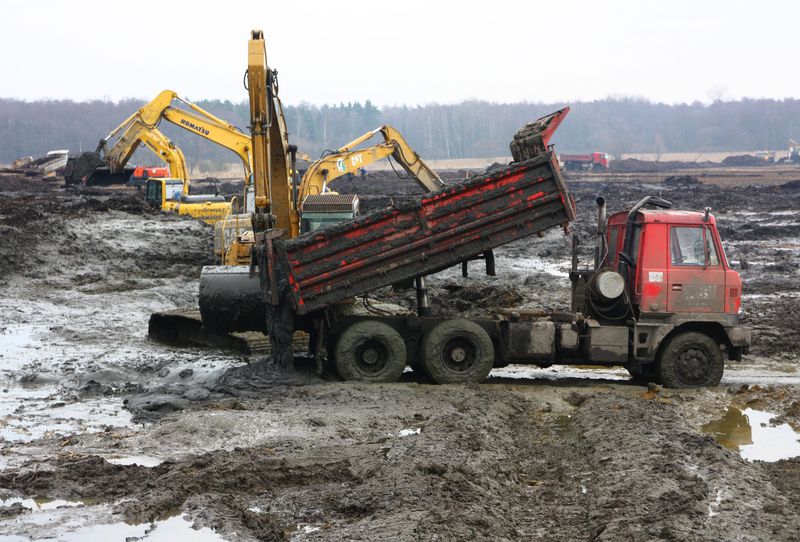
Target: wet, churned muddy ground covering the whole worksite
point(551, 454)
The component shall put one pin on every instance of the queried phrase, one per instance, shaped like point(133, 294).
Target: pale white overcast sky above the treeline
point(410, 52)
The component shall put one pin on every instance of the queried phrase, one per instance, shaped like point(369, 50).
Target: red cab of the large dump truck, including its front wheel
point(682, 294)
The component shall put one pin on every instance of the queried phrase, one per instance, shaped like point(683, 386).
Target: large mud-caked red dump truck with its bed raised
point(660, 300)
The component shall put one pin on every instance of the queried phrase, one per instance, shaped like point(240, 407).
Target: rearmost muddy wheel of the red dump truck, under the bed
point(371, 352)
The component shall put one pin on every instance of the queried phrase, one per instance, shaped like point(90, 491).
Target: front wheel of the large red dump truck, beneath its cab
point(690, 360)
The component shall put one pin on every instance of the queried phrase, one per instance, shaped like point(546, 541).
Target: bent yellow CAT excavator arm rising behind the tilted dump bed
point(348, 159)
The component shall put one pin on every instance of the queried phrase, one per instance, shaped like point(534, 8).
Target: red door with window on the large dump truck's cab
point(696, 276)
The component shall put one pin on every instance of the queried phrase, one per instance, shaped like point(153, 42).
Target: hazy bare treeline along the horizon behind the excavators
point(471, 129)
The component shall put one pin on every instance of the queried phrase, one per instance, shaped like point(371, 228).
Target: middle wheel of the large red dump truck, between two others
point(457, 351)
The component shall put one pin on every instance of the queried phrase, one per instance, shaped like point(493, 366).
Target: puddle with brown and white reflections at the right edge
point(752, 434)
